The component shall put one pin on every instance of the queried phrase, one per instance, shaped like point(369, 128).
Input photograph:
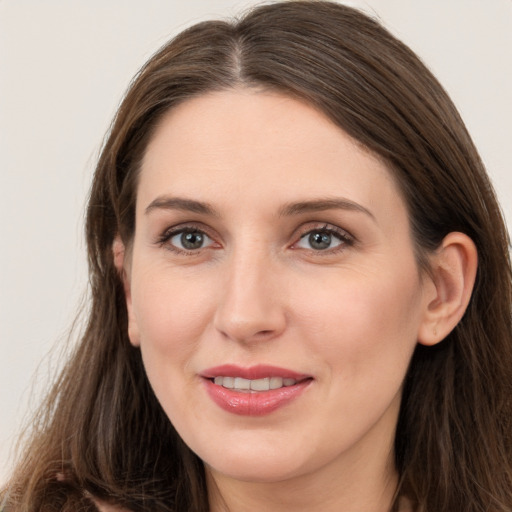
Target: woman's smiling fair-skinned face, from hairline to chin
point(272, 288)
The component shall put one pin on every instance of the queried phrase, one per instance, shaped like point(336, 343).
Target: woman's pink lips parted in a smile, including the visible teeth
point(253, 391)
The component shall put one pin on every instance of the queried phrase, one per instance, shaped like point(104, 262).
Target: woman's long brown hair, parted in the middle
point(102, 431)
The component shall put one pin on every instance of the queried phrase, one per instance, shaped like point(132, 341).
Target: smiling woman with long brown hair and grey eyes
point(301, 288)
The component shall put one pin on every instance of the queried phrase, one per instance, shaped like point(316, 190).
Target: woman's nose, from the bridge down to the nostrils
point(251, 306)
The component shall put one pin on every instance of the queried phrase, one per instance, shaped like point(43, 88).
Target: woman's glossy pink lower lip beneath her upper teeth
point(257, 403)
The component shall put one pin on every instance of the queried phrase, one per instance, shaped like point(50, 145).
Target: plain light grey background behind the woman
point(63, 69)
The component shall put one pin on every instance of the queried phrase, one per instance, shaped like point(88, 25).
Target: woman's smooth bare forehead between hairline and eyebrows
point(253, 144)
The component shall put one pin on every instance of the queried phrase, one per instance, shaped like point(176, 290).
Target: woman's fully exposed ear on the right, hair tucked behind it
point(452, 277)
